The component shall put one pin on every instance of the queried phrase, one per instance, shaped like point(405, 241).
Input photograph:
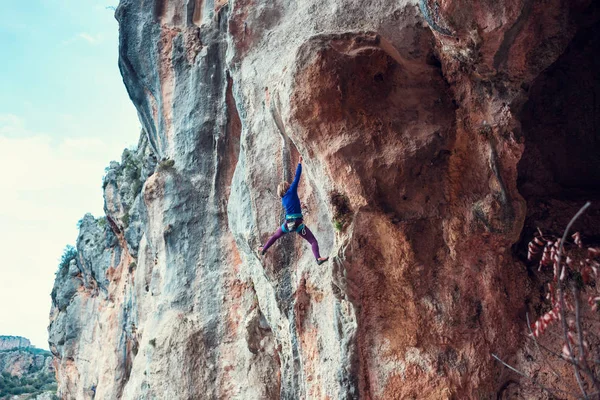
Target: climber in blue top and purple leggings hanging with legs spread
point(293, 217)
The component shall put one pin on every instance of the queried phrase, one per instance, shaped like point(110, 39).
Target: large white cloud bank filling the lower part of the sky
point(47, 185)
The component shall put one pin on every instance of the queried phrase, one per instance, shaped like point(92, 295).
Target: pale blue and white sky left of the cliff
point(64, 115)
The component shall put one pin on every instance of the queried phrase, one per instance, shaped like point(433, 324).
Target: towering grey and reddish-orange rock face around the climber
point(412, 118)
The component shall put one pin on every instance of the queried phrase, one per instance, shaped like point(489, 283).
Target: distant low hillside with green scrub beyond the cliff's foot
point(25, 371)
